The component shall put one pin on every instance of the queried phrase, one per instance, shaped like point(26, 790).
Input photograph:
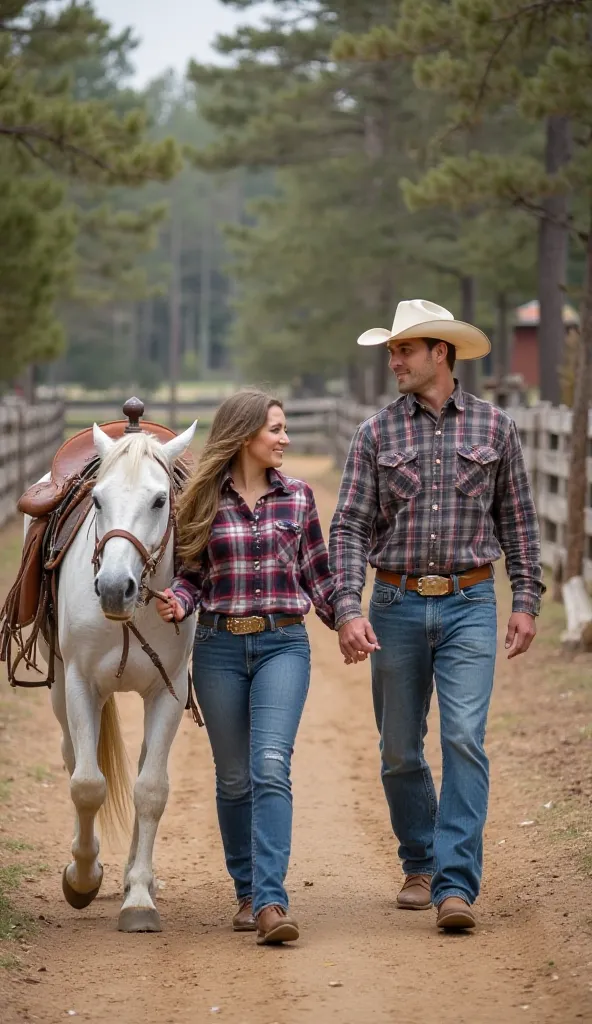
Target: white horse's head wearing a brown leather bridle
point(132, 496)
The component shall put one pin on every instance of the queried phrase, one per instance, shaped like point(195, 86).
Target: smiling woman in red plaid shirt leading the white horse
point(255, 560)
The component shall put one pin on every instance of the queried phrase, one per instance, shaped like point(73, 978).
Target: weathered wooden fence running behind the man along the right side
point(545, 434)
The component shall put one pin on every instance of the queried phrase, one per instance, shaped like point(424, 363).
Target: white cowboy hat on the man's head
point(420, 319)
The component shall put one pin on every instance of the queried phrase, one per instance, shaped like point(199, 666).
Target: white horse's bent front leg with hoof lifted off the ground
point(82, 878)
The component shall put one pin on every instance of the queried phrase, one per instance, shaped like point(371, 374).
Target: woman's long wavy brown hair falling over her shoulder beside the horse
point(237, 420)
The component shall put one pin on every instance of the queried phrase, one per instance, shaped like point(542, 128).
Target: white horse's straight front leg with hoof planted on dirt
point(162, 718)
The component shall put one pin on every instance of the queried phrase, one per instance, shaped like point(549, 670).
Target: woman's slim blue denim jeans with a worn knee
point(251, 691)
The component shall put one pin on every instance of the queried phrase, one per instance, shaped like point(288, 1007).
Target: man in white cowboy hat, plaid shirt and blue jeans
point(435, 490)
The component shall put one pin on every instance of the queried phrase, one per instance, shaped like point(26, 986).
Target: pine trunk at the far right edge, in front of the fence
point(578, 480)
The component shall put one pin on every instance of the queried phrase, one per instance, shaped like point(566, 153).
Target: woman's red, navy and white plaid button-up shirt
point(270, 562)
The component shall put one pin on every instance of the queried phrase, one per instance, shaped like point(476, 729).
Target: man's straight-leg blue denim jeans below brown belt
point(450, 641)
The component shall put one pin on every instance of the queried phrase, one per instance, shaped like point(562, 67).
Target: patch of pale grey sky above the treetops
point(174, 31)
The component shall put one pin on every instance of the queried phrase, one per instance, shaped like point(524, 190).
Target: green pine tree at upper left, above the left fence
point(49, 137)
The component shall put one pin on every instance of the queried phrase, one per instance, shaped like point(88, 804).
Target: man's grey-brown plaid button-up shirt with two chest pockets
point(427, 495)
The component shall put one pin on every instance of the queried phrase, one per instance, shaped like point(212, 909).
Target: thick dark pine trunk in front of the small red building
point(554, 242)
